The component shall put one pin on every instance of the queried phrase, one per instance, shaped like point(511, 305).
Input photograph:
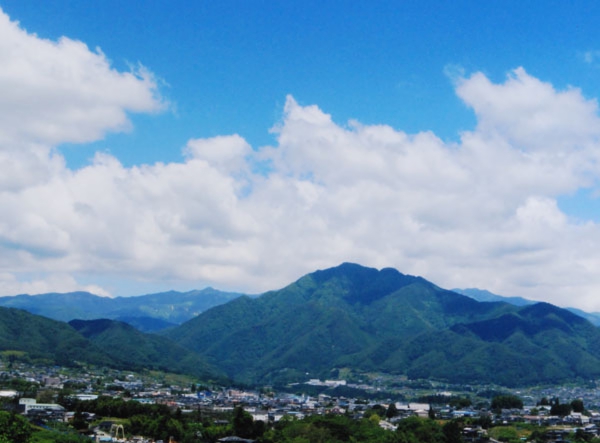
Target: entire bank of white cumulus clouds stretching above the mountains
point(479, 212)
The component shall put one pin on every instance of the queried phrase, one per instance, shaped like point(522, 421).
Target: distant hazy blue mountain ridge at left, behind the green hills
point(148, 313)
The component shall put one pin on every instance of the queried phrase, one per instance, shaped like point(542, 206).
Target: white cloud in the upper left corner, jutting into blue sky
point(55, 92)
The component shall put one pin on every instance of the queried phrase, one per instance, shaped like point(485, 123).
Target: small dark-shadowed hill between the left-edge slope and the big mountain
point(138, 350)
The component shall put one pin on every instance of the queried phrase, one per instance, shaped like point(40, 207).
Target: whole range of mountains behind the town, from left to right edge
point(347, 318)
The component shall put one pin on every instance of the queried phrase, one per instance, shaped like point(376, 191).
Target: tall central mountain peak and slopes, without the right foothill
point(343, 316)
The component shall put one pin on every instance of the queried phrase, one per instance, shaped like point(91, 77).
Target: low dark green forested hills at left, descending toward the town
point(36, 339)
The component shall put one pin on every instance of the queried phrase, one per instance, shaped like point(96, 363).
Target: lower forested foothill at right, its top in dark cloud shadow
point(537, 343)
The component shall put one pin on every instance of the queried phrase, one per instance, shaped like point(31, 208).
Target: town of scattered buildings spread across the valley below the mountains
point(55, 397)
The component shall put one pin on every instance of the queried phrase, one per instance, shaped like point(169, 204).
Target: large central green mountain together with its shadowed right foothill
point(361, 318)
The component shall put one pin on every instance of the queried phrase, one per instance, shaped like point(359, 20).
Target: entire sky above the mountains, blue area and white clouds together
point(454, 140)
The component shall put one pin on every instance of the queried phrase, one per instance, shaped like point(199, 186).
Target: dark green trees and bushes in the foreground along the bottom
point(160, 422)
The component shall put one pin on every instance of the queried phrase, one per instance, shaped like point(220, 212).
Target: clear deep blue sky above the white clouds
point(228, 66)
